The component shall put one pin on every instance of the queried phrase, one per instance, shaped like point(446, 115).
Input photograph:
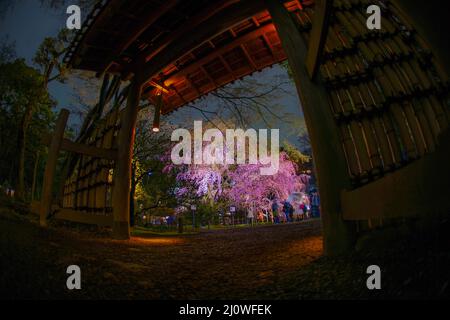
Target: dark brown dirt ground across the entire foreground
point(273, 262)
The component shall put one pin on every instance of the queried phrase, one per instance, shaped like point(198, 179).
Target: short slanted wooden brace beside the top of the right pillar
point(318, 37)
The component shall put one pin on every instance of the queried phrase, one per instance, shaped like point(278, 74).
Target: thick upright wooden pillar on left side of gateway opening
point(122, 171)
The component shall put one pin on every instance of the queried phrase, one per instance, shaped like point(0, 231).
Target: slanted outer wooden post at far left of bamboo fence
point(50, 167)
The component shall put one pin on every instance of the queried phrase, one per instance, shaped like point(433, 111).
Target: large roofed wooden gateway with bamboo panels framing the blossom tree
point(376, 103)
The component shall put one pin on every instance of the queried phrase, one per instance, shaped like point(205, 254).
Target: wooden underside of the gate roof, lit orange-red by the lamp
point(184, 48)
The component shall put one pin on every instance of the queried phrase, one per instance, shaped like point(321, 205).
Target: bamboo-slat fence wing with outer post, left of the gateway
point(87, 190)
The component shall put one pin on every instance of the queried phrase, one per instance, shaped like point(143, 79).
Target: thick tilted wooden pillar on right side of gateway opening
point(329, 159)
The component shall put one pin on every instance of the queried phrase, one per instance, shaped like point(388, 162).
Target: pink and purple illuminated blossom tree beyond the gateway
point(240, 185)
